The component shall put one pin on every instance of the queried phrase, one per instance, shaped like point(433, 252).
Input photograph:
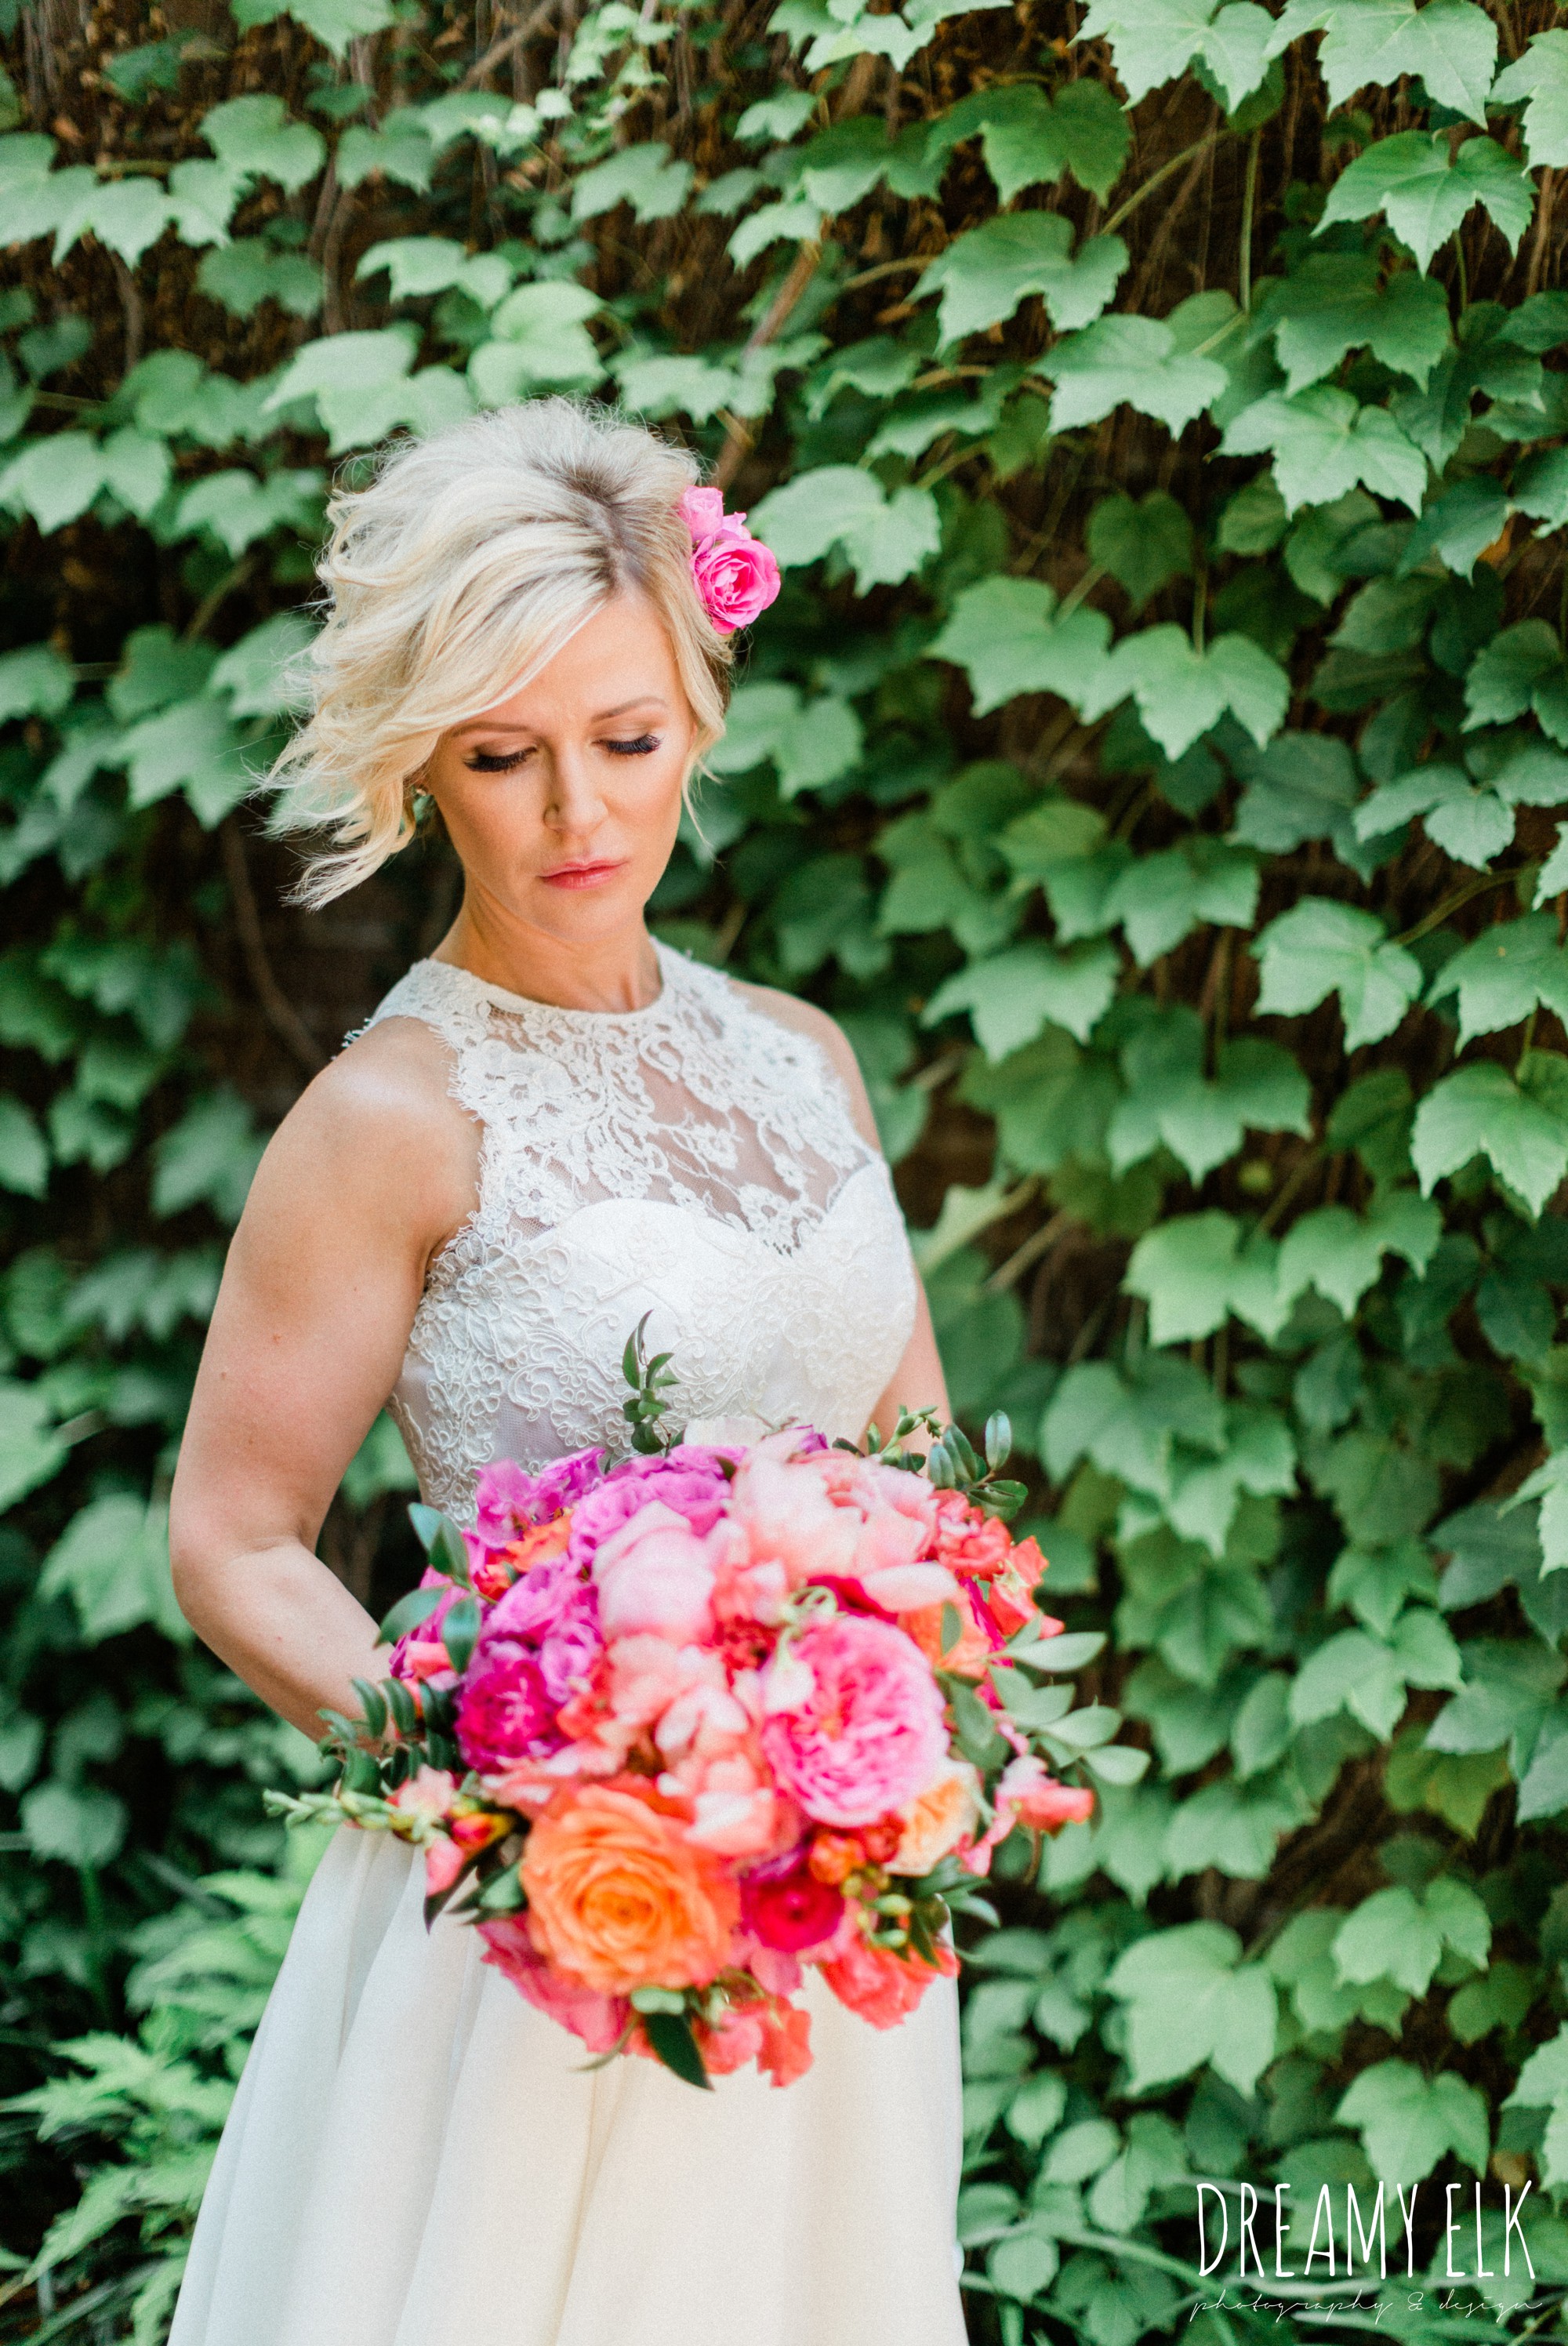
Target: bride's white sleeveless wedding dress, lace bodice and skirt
point(417, 2157)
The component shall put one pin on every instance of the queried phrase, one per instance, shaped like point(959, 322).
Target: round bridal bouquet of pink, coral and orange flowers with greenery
point(677, 1728)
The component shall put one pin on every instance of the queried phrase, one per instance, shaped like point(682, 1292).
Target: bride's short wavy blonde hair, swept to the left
point(452, 581)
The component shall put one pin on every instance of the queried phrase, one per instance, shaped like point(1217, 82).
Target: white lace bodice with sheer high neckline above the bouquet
point(696, 1162)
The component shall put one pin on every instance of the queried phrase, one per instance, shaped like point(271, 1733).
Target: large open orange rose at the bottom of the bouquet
point(621, 1899)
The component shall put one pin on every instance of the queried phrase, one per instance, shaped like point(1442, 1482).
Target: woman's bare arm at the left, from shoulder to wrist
point(360, 1186)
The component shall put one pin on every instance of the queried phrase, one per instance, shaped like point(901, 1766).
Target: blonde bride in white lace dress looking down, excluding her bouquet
point(548, 1130)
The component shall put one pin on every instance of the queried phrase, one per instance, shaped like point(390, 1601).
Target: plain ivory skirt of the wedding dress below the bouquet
point(419, 2159)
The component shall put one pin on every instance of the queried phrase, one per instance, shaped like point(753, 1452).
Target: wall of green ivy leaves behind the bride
point(1156, 761)
